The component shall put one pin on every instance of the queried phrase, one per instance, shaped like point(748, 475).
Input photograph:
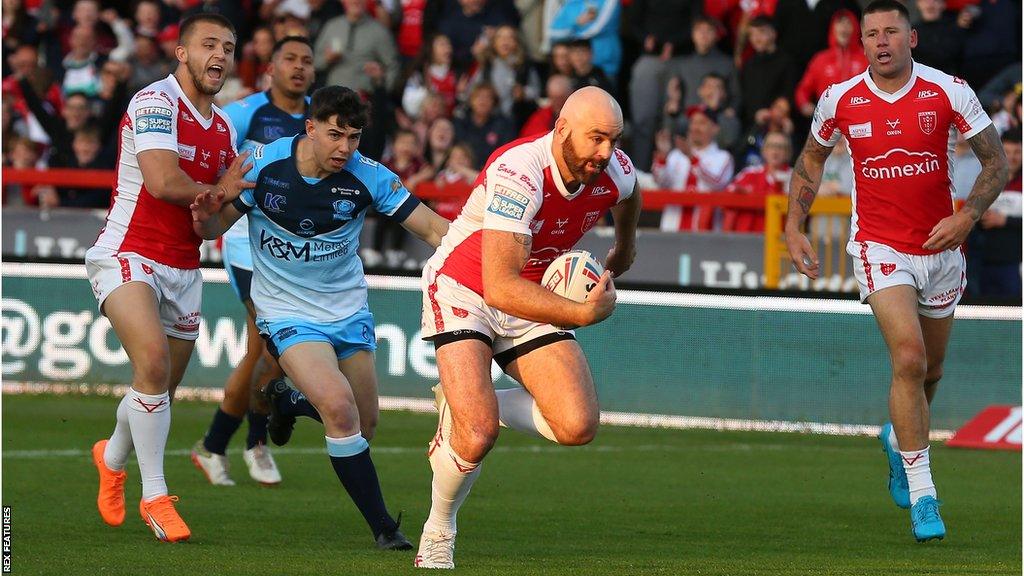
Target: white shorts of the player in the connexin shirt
point(941, 279)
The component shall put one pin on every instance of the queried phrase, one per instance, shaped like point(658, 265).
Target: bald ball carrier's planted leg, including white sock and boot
point(467, 430)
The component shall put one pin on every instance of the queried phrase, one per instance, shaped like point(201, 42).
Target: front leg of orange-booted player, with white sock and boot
point(144, 418)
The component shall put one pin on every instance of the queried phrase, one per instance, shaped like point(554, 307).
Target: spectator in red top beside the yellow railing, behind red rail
point(771, 178)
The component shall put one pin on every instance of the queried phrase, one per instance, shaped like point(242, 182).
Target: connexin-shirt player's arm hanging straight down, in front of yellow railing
point(803, 188)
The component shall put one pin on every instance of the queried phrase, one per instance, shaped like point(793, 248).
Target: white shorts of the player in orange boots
point(180, 293)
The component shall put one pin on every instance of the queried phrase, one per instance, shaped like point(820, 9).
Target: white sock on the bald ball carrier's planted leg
point(453, 479)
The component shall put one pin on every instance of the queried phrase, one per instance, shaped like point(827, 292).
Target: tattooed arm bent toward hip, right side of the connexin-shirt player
point(953, 231)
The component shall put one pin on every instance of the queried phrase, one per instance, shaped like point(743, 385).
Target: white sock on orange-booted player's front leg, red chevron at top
point(150, 418)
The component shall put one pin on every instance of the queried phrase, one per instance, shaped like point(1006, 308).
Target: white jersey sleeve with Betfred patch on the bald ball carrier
point(513, 196)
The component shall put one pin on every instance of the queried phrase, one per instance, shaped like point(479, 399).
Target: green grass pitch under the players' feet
point(636, 502)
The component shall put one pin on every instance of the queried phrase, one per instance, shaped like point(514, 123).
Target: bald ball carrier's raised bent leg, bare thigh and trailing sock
point(560, 395)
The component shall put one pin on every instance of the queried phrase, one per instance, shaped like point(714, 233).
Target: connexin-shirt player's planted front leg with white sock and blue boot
point(897, 313)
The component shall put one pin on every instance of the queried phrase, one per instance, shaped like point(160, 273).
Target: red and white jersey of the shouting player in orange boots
point(160, 117)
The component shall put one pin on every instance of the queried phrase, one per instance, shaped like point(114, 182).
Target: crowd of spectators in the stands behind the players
point(718, 94)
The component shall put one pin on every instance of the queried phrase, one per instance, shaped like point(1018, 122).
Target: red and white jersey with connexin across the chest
point(903, 148)
